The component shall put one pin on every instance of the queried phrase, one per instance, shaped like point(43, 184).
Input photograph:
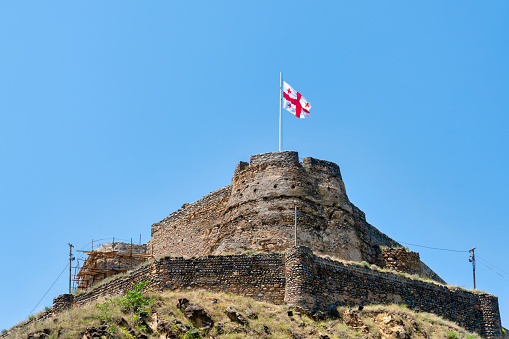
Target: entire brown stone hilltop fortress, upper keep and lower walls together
point(198, 247)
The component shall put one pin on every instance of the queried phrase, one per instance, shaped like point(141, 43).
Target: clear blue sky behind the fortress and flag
point(114, 114)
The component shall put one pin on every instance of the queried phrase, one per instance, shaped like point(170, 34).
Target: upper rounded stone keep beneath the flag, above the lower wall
point(256, 212)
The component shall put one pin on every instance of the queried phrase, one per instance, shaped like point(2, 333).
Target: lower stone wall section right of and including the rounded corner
point(330, 283)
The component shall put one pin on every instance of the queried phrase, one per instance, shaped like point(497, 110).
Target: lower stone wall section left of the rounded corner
point(259, 276)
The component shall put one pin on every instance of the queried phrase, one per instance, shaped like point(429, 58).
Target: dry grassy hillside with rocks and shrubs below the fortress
point(154, 315)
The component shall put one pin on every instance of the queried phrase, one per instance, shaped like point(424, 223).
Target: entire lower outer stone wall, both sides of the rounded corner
point(302, 279)
